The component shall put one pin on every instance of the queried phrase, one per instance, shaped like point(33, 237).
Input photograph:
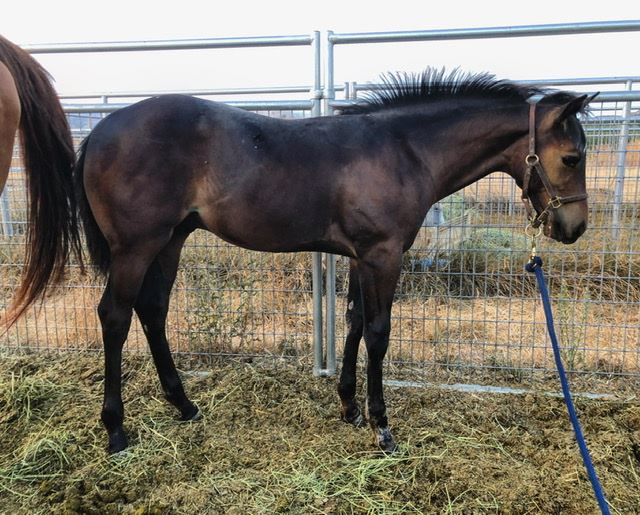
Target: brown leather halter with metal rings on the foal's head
point(534, 165)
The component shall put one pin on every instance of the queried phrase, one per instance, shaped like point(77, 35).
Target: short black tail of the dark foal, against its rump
point(96, 242)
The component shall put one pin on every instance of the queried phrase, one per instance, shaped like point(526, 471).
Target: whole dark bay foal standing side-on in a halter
point(358, 184)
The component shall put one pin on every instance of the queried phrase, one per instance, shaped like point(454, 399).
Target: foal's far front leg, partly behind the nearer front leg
point(347, 386)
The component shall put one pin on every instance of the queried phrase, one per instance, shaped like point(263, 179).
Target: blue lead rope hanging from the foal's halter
point(535, 266)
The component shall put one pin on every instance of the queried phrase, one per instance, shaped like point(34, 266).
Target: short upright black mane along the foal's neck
point(404, 89)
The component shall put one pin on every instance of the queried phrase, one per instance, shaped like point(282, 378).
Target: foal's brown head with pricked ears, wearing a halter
point(554, 186)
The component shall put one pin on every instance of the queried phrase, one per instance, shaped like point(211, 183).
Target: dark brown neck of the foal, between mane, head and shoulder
point(464, 147)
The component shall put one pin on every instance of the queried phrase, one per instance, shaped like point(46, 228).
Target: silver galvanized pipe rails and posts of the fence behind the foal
point(322, 102)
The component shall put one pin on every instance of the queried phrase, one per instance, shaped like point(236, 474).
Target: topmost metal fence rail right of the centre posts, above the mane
point(557, 29)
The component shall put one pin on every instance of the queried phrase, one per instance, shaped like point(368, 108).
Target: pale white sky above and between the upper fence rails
point(31, 21)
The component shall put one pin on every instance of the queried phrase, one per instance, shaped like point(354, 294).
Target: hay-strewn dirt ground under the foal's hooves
point(271, 441)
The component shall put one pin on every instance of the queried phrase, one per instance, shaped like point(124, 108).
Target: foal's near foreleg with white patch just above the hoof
point(379, 270)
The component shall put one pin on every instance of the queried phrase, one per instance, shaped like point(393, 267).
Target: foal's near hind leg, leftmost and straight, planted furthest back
point(126, 274)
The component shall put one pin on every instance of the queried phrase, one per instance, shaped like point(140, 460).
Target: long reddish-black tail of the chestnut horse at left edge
point(47, 150)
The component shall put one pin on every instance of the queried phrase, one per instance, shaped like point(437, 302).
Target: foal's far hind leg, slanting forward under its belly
point(152, 306)
